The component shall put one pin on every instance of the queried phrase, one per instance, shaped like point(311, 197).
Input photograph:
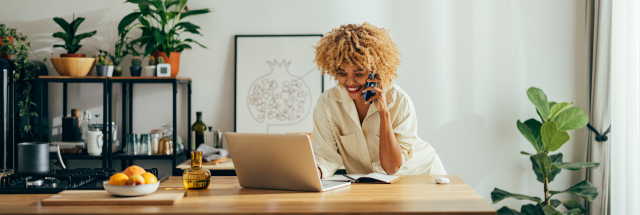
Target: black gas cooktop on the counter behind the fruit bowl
point(58, 180)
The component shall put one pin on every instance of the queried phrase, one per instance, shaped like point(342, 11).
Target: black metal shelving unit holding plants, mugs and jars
point(127, 84)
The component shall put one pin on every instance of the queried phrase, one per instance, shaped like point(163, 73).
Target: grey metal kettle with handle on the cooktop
point(33, 158)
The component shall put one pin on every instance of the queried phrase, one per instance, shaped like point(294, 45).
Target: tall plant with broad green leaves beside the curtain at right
point(546, 136)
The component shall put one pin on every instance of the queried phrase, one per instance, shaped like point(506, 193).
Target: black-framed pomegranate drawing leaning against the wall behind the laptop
point(277, 83)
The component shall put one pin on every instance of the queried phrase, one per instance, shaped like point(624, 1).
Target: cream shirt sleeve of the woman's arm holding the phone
point(405, 128)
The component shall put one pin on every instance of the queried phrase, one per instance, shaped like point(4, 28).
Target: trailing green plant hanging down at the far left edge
point(25, 75)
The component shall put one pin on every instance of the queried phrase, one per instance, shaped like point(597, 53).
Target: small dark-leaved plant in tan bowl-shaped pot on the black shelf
point(72, 63)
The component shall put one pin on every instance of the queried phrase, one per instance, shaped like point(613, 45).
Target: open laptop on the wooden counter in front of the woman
point(276, 161)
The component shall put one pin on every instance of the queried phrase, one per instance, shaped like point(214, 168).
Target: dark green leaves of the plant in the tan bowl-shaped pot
point(71, 40)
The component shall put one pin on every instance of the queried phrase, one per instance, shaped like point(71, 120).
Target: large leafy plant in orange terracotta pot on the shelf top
point(161, 24)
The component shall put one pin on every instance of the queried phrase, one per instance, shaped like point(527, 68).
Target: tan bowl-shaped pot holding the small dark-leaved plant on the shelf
point(73, 66)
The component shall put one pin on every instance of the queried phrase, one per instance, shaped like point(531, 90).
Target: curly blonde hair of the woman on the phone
point(364, 46)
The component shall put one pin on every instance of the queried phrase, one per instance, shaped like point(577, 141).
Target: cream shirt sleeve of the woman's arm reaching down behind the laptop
point(325, 147)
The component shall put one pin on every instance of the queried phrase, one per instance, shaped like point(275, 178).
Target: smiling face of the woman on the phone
point(353, 79)
